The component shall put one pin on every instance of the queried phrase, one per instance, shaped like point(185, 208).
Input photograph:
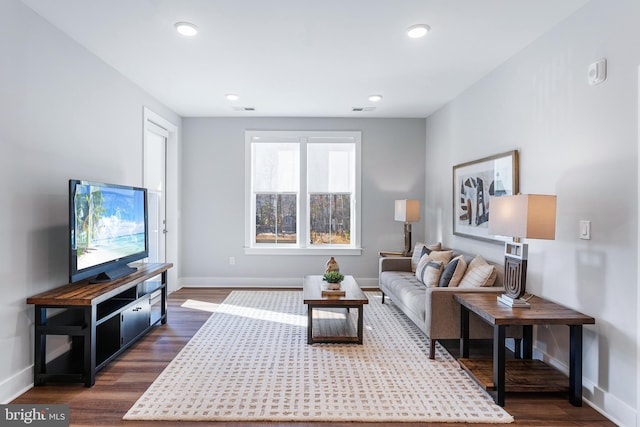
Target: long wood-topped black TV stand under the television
point(102, 320)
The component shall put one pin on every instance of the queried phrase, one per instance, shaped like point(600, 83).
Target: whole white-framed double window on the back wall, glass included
point(303, 192)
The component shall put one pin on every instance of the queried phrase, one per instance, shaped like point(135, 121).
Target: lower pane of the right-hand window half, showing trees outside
point(330, 217)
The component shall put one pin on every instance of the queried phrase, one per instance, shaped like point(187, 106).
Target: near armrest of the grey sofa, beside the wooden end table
point(442, 317)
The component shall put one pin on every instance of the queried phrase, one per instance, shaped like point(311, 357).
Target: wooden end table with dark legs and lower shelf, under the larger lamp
point(498, 376)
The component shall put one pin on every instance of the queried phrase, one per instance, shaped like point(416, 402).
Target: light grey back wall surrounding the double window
point(213, 199)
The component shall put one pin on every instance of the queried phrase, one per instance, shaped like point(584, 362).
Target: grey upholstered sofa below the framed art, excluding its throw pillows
point(433, 309)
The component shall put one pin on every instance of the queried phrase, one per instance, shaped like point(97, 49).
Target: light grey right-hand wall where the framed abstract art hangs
point(579, 142)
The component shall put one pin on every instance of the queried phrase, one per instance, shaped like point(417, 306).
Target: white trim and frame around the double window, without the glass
point(302, 248)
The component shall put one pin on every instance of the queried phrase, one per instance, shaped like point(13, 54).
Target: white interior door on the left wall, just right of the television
point(155, 161)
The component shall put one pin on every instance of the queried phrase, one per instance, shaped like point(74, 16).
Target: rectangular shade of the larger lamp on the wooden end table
point(523, 216)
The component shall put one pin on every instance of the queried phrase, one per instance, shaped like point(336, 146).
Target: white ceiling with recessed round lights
point(304, 58)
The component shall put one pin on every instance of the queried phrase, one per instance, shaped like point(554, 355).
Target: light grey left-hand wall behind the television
point(63, 114)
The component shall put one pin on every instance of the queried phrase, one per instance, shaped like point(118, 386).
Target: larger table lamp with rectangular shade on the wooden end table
point(531, 216)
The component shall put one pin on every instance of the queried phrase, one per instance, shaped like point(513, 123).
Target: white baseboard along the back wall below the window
point(258, 282)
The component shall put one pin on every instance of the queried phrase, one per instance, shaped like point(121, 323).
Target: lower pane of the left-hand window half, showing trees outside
point(276, 218)
